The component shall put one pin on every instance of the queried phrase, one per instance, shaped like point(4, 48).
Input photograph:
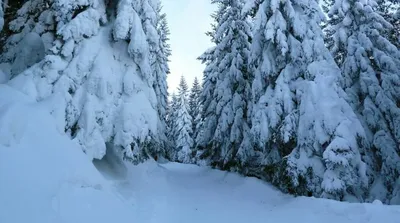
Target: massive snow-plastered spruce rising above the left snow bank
point(96, 74)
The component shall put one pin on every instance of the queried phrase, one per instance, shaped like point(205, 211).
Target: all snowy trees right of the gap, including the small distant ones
point(302, 94)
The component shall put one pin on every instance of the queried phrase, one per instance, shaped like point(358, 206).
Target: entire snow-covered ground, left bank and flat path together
point(45, 178)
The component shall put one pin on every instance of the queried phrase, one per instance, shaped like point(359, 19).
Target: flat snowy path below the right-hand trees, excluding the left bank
point(174, 193)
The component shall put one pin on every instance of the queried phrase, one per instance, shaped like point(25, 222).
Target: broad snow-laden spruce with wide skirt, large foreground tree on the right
point(302, 125)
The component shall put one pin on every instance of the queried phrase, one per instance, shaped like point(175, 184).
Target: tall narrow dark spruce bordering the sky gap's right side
point(226, 125)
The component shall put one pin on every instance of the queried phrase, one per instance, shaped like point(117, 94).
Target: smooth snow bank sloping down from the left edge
point(45, 177)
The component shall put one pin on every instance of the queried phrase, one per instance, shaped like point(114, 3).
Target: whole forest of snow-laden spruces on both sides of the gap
point(302, 94)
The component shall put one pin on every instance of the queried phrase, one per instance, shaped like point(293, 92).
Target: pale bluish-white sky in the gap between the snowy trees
point(188, 21)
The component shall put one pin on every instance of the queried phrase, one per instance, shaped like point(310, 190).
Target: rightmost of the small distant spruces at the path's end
point(195, 105)
